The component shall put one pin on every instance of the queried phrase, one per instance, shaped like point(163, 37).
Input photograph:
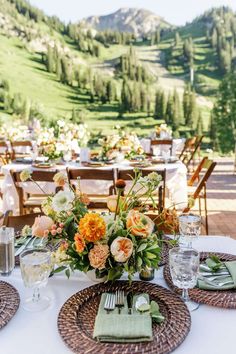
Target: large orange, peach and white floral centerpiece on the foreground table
point(110, 245)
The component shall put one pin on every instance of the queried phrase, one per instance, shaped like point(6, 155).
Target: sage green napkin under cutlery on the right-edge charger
point(231, 267)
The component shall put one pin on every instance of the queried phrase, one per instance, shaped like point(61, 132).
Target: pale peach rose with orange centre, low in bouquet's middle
point(121, 249)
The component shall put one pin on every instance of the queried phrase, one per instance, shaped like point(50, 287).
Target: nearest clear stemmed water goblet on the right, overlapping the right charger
point(184, 267)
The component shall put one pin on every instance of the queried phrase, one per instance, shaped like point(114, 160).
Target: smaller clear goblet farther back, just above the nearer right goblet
point(189, 227)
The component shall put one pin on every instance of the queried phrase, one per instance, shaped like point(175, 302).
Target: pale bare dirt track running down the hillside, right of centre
point(151, 59)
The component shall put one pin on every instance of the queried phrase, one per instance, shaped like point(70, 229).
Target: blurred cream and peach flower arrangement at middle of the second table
point(121, 142)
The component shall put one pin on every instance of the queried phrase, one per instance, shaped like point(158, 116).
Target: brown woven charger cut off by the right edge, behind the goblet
point(220, 298)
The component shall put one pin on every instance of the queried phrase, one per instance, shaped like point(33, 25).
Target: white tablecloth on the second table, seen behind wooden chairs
point(176, 182)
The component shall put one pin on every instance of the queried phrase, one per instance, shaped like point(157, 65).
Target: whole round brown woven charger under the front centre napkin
point(77, 316)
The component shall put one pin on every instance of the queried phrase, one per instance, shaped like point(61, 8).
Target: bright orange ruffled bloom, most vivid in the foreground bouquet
point(92, 227)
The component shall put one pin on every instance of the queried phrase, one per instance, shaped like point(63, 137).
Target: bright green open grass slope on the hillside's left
point(28, 76)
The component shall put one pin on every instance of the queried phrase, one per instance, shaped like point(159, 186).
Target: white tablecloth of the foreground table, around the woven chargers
point(212, 329)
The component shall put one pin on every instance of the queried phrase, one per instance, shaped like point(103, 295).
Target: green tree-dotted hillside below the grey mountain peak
point(51, 70)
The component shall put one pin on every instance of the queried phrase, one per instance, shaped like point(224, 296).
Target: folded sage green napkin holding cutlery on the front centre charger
point(122, 328)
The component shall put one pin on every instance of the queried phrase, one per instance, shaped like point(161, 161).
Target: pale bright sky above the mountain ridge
point(177, 12)
